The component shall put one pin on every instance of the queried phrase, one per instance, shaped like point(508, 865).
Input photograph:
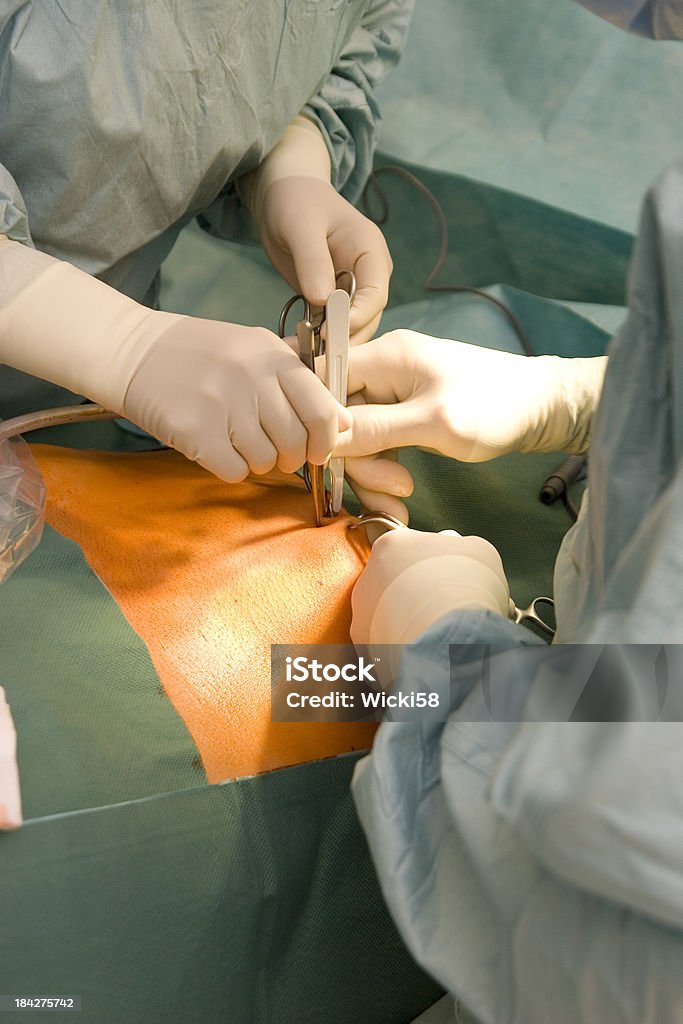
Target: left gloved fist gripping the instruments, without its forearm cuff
point(214, 391)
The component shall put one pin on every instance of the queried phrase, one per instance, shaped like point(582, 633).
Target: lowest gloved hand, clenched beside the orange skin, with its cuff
point(412, 580)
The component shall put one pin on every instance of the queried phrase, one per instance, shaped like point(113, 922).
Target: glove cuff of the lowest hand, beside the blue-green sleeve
point(429, 590)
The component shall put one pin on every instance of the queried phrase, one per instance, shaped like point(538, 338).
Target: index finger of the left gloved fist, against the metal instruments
point(317, 409)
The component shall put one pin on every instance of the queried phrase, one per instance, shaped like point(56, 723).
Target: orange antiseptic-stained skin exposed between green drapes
point(210, 575)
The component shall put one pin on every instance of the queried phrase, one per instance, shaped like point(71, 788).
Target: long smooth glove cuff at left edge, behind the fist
point(67, 327)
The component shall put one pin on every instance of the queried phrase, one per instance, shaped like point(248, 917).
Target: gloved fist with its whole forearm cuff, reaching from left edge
point(233, 399)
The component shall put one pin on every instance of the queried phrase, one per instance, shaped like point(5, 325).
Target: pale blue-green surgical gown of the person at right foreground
point(536, 869)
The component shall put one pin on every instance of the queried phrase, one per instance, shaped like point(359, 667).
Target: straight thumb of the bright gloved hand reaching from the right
point(376, 429)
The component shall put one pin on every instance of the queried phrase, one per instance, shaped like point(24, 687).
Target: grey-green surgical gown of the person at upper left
point(121, 120)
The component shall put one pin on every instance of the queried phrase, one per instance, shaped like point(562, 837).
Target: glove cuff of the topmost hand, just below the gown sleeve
point(302, 151)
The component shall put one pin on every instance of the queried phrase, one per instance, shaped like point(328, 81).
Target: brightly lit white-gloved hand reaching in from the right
point(468, 403)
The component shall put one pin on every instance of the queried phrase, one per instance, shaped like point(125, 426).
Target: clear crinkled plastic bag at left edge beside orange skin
point(22, 504)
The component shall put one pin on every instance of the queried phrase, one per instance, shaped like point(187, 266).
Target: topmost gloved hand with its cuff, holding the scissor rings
point(310, 232)
